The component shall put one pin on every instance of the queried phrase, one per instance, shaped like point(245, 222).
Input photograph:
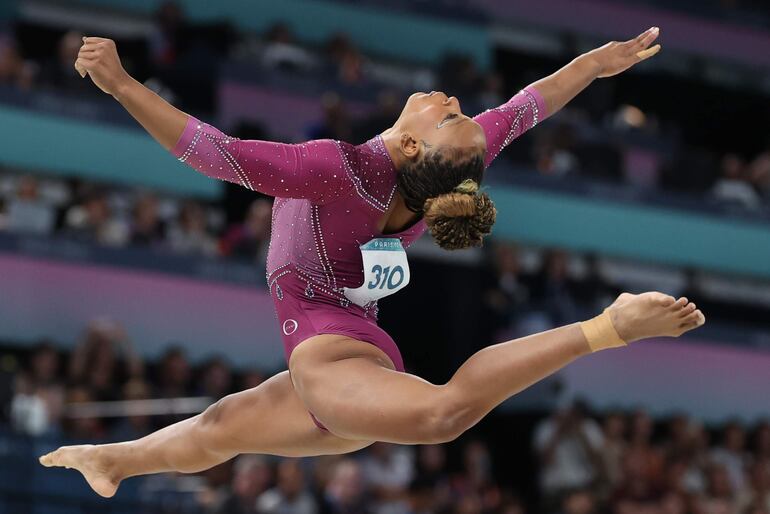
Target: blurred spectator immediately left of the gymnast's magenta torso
point(249, 240)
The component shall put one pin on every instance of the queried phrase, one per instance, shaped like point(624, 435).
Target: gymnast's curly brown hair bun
point(460, 219)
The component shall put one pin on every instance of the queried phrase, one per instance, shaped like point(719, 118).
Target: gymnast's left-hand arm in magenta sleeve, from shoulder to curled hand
point(312, 170)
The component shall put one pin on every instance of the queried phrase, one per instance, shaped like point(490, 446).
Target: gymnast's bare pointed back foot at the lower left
point(92, 463)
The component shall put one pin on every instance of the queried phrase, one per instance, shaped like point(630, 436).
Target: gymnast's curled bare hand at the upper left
point(98, 57)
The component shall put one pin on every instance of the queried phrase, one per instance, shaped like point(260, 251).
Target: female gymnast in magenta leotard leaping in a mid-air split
point(342, 217)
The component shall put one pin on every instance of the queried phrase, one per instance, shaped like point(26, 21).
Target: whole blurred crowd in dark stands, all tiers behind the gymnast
point(690, 136)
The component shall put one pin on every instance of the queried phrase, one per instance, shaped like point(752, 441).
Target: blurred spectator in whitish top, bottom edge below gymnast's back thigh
point(289, 496)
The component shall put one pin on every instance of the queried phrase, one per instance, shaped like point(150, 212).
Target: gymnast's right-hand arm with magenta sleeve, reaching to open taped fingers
point(547, 96)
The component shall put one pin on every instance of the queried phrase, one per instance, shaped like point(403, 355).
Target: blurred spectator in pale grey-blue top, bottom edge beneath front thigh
point(388, 470)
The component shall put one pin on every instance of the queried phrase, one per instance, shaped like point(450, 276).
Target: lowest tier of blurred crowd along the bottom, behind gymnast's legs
point(582, 462)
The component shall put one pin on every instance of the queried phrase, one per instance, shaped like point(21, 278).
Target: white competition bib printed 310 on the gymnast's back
point(386, 271)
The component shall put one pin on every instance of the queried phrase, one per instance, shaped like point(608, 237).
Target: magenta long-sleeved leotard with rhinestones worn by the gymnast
point(329, 196)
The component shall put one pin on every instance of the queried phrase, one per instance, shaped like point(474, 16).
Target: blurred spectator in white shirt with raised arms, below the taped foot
point(568, 446)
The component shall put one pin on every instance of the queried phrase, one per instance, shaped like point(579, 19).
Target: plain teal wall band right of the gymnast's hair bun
point(647, 233)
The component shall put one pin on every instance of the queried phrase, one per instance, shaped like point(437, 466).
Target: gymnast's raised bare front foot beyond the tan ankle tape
point(653, 314)
